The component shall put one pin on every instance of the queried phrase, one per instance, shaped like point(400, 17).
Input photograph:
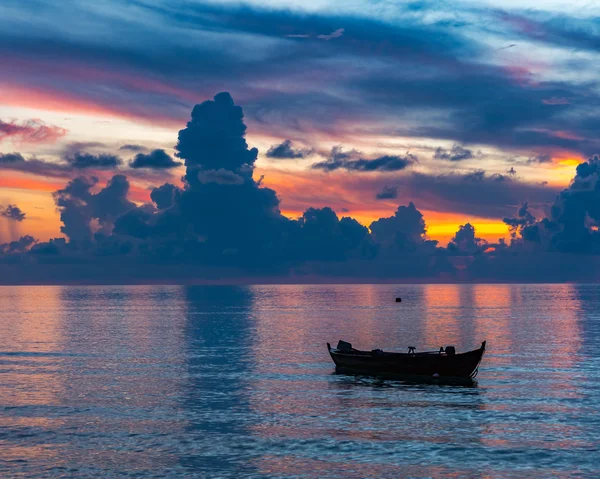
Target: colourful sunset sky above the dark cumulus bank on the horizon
point(466, 109)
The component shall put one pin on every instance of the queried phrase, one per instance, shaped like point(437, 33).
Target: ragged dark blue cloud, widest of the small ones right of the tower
point(344, 160)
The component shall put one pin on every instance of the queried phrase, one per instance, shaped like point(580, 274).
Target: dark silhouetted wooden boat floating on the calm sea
point(444, 363)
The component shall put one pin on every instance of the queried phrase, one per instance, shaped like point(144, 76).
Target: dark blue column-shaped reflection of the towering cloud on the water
point(218, 332)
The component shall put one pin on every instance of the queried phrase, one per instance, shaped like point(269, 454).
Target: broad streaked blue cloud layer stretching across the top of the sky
point(453, 92)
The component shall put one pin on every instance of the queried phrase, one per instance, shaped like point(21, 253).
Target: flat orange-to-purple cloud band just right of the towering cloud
point(482, 195)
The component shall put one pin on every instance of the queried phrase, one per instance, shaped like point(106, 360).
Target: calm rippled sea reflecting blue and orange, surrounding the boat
point(236, 382)
